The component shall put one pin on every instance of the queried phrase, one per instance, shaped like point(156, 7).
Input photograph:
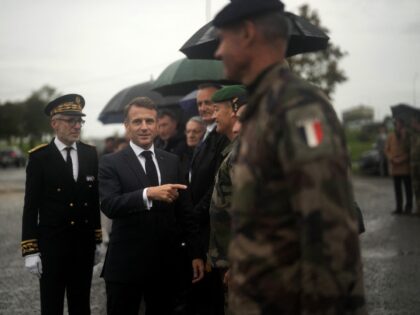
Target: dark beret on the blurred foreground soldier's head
point(238, 10)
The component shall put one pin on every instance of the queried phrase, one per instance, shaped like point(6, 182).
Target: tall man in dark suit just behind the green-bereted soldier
point(204, 165)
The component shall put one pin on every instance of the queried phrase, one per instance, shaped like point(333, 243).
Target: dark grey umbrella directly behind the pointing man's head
point(113, 111)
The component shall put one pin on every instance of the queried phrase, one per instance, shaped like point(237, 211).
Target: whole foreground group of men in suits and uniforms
point(249, 209)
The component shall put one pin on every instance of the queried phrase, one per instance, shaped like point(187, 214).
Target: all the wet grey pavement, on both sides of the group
point(390, 251)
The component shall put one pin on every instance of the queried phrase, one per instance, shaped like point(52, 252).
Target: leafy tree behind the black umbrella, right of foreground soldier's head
point(320, 68)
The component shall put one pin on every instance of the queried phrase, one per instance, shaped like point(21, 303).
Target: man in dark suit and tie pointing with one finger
point(140, 191)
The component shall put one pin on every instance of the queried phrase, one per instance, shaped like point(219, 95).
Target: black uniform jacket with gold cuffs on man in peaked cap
point(61, 216)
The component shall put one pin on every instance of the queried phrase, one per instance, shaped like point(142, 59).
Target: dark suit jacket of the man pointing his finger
point(142, 242)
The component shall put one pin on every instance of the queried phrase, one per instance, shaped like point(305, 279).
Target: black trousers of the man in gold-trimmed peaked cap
point(66, 274)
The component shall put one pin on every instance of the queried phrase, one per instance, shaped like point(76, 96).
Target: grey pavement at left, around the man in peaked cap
point(19, 291)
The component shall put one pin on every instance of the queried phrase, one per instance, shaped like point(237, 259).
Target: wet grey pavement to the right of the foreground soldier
point(390, 251)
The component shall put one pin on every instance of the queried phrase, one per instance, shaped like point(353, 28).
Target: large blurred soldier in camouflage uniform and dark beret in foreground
point(295, 247)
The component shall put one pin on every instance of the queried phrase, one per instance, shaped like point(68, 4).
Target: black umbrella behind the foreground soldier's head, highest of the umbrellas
point(304, 37)
